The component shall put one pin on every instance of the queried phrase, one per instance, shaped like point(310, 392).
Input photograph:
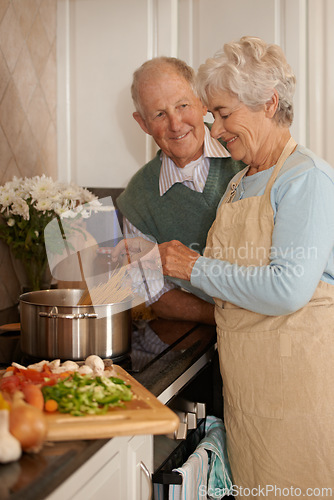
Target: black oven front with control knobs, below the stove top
point(201, 396)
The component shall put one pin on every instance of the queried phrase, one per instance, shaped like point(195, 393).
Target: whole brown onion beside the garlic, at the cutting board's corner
point(28, 424)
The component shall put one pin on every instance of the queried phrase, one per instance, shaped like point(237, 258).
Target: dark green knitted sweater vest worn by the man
point(181, 213)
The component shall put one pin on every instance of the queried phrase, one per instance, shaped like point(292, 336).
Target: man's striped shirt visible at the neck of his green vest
point(193, 175)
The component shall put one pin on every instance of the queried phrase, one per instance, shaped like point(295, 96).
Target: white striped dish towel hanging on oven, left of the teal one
point(194, 474)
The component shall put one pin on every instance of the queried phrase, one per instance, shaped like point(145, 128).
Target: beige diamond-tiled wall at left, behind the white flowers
point(28, 99)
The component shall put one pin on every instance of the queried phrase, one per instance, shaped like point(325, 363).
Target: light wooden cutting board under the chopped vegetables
point(143, 415)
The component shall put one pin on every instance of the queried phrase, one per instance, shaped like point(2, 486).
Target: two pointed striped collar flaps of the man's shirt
point(170, 173)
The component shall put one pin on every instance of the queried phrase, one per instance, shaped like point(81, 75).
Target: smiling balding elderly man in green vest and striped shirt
point(175, 195)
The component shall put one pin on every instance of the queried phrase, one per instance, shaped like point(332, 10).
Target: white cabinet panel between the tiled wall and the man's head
point(100, 43)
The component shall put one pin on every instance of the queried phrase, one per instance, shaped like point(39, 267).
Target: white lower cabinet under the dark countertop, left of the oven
point(119, 470)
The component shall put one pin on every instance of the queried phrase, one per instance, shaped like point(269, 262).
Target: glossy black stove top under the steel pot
point(162, 351)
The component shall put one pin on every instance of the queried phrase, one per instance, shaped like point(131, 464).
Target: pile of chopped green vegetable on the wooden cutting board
point(83, 395)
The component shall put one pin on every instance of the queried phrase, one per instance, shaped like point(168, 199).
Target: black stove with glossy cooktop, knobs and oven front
point(178, 363)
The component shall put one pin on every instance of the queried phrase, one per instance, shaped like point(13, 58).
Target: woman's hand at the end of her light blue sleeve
point(177, 259)
